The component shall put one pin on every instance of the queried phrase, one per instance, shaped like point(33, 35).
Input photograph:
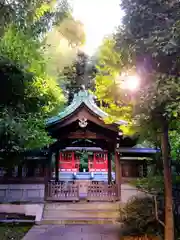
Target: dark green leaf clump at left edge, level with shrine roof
point(22, 132)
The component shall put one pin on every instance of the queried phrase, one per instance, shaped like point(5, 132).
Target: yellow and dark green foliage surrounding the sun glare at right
point(148, 40)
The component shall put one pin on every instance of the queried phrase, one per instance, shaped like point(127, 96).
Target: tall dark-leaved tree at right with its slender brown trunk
point(148, 42)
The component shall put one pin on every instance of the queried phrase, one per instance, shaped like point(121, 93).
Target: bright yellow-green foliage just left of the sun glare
point(107, 86)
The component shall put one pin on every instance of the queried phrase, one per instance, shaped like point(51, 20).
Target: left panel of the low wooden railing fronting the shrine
point(59, 191)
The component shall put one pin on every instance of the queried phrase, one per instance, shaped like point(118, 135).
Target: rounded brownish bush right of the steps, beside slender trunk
point(138, 218)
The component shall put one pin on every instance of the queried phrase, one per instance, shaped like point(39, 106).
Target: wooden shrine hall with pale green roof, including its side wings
point(81, 128)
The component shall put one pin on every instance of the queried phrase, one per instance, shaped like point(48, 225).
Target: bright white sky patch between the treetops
point(100, 18)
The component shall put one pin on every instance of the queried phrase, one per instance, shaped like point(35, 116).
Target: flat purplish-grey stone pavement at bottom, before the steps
point(73, 232)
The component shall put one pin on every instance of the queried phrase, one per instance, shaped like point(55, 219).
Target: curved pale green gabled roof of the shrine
point(82, 97)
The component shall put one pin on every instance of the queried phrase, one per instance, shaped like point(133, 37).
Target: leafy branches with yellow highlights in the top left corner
point(35, 16)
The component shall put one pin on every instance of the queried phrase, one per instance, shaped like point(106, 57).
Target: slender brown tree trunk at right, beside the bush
point(169, 219)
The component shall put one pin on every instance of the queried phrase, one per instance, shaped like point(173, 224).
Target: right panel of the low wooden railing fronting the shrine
point(102, 192)
